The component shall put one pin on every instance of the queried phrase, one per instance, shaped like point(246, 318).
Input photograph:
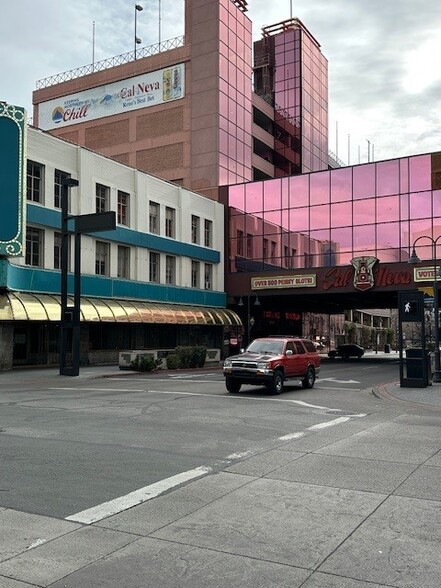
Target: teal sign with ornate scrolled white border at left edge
point(12, 180)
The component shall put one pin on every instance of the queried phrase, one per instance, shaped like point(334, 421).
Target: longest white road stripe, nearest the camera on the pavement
point(102, 511)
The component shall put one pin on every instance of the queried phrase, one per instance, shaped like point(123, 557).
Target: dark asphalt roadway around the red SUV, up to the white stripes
point(72, 444)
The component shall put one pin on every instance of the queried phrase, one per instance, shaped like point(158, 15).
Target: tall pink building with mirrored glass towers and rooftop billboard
point(188, 113)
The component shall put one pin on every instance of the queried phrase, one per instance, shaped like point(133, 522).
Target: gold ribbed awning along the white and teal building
point(21, 306)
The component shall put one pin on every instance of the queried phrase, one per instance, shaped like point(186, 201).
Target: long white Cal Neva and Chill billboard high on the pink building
point(148, 89)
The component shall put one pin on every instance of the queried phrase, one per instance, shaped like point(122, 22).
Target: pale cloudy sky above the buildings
point(383, 55)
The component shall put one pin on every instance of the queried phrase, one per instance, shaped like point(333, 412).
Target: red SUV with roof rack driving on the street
point(270, 362)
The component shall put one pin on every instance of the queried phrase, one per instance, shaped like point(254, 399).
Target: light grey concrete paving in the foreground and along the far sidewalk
point(351, 506)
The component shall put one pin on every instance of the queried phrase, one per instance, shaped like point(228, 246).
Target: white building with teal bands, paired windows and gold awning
point(155, 282)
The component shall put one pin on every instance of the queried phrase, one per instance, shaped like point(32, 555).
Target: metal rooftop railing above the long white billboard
point(111, 62)
